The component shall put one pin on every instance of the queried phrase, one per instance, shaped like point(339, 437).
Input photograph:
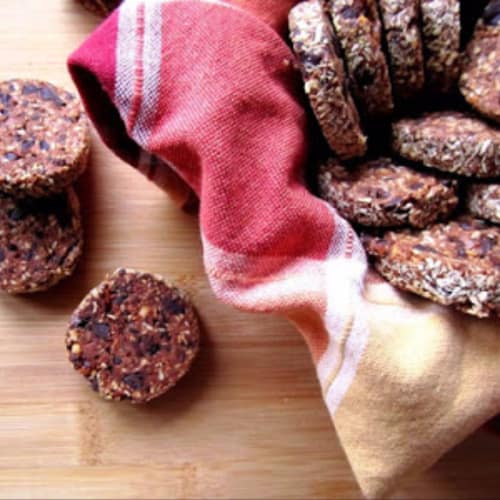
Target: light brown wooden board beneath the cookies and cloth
point(247, 422)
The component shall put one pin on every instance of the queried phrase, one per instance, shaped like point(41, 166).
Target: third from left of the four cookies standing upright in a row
point(401, 20)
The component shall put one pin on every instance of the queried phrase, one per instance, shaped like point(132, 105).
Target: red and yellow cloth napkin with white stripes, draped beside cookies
point(203, 97)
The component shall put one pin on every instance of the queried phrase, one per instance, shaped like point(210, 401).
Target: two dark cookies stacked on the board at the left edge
point(44, 148)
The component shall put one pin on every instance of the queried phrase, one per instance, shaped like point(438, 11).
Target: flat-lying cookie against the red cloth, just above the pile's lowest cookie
point(380, 193)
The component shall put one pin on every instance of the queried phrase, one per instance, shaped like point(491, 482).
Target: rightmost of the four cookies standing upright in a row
point(441, 37)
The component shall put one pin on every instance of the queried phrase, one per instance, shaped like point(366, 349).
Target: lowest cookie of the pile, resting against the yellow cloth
point(455, 264)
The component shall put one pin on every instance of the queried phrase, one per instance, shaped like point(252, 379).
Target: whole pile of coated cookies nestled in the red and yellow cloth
point(363, 62)
